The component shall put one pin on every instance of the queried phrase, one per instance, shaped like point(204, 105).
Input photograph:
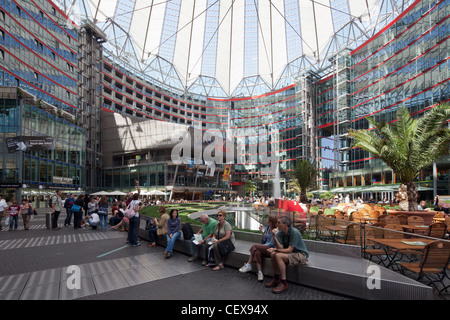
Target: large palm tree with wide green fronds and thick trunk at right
point(408, 145)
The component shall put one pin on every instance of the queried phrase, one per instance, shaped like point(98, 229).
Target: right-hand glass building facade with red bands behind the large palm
point(406, 64)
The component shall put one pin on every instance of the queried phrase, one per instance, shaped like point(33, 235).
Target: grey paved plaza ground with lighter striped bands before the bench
point(35, 267)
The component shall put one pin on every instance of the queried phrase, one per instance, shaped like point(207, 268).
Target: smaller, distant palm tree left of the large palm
point(303, 177)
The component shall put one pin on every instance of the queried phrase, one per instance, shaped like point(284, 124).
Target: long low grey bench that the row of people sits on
point(337, 268)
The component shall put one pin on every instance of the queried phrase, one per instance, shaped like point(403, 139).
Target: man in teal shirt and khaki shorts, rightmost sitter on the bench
point(290, 250)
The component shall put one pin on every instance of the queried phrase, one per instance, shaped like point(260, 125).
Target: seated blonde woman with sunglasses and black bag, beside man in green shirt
point(222, 233)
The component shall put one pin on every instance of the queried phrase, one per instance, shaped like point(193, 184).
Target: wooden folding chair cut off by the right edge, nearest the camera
point(433, 264)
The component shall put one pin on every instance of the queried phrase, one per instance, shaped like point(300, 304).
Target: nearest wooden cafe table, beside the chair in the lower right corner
point(414, 244)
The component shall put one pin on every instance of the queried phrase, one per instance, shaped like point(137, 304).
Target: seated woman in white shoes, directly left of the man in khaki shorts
point(259, 250)
